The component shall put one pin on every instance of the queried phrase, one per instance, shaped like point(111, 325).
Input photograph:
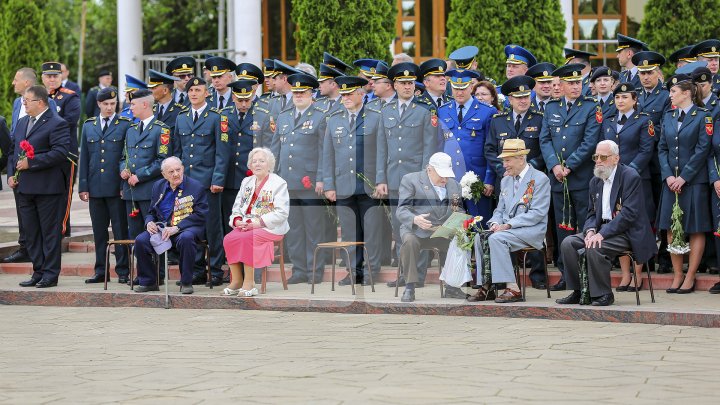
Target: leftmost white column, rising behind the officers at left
point(129, 17)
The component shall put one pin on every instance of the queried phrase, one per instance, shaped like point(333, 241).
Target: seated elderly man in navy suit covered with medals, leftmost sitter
point(178, 208)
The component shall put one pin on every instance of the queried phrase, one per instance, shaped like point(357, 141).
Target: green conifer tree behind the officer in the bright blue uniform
point(492, 24)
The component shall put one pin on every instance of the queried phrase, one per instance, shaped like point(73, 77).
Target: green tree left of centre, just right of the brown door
point(349, 29)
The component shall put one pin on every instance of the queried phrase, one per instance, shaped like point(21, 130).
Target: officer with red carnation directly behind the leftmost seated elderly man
point(146, 145)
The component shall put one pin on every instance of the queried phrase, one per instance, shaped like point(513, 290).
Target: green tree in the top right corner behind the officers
point(683, 23)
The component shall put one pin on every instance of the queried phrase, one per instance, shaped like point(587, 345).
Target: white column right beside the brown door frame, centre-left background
point(247, 31)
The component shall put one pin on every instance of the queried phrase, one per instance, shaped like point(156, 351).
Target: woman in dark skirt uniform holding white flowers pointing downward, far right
point(683, 151)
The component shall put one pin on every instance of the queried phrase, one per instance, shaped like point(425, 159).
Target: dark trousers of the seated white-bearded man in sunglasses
point(599, 262)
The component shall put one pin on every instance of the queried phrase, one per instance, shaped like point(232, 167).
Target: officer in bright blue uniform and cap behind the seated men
point(464, 124)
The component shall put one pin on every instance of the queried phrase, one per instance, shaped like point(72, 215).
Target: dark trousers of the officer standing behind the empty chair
point(360, 221)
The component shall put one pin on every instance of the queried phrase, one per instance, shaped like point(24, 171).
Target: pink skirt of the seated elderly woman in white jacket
point(254, 247)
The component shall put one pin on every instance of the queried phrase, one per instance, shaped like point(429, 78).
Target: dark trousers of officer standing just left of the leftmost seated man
point(103, 212)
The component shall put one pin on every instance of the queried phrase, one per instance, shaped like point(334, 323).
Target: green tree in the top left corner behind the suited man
point(26, 39)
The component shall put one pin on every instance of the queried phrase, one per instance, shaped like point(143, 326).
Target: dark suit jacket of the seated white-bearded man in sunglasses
point(629, 215)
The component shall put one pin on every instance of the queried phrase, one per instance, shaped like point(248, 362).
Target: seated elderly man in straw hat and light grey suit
point(519, 221)
